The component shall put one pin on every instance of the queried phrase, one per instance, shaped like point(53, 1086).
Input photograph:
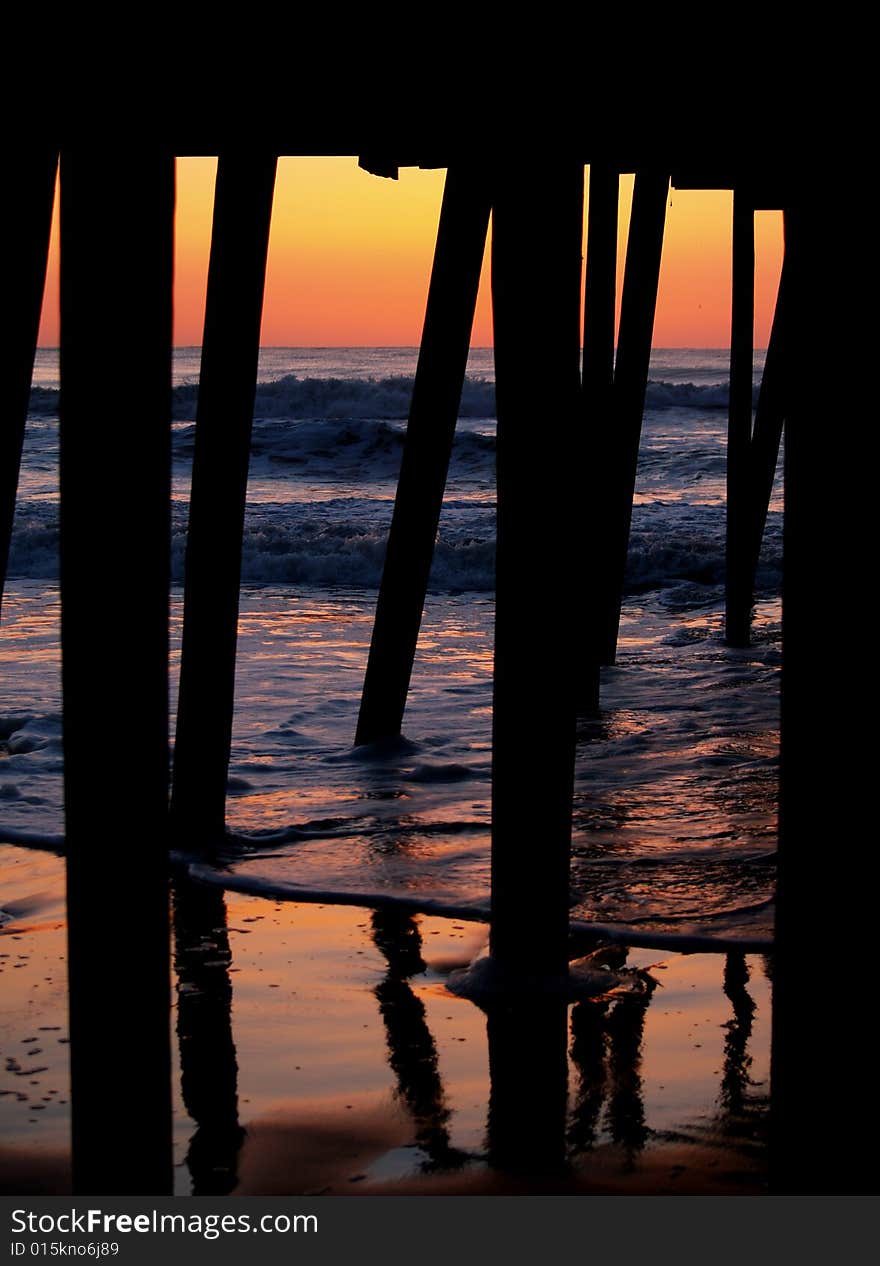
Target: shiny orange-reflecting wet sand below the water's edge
point(317, 1051)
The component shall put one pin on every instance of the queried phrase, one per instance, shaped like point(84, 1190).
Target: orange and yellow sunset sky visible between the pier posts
point(350, 260)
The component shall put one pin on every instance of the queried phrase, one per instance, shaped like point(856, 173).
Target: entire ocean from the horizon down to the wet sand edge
point(676, 798)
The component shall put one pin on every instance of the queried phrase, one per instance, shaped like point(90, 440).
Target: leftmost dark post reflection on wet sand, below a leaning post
point(208, 1062)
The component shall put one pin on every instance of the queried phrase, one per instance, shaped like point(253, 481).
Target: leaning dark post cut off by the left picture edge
point(28, 207)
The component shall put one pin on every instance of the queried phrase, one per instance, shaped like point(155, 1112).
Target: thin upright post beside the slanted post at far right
point(739, 587)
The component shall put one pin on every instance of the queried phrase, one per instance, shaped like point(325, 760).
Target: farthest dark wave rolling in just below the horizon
point(293, 397)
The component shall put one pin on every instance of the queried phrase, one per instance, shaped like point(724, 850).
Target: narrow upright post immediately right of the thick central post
point(600, 299)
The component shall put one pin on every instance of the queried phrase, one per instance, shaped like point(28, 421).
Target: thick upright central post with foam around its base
point(537, 237)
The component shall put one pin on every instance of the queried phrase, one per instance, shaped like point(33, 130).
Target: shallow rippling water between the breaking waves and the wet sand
point(674, 816)
